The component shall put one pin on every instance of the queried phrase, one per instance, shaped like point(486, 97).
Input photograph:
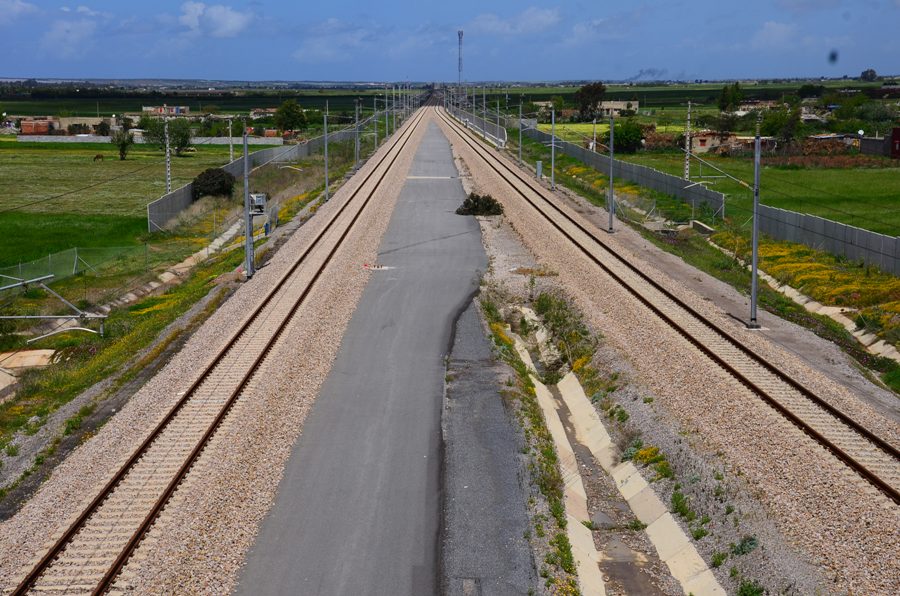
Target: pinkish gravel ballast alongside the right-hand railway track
point(821, 506)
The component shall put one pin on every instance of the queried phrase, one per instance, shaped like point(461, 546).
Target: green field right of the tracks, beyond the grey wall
point(864, 197)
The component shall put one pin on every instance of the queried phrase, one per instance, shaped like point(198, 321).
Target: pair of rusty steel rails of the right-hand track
point(803, 425)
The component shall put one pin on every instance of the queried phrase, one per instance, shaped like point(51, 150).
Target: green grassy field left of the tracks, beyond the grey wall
point(56, 196)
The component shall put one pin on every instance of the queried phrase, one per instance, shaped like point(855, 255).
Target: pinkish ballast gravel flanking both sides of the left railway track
point(200, 539)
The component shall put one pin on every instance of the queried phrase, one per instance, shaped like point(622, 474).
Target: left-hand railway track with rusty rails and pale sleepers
point(92, 551)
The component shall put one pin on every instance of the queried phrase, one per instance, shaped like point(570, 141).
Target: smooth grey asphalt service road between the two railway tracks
point(358, 510)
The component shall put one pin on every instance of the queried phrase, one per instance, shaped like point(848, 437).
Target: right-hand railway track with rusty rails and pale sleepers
point(872, 458)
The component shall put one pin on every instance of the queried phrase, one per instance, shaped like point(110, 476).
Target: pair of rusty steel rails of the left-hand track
point(110, 486)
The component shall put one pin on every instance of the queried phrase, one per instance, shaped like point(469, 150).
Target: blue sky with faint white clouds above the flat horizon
point(504, 40)
